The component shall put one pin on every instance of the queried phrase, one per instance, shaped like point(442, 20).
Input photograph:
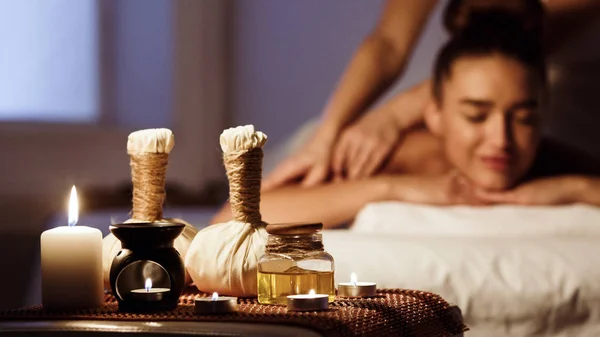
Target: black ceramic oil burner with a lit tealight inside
point(148, 273)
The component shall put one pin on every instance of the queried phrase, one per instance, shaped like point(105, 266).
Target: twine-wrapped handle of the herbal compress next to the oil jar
point(242, 155)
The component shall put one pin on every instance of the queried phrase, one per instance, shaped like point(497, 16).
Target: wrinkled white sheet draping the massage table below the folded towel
point(504, 287)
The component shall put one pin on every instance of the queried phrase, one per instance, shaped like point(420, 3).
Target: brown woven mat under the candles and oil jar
point(394, 312)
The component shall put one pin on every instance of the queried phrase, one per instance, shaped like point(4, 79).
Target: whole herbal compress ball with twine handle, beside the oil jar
point(224, 257)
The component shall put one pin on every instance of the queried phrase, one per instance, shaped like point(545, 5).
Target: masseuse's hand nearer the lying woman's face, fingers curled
point(364, 146)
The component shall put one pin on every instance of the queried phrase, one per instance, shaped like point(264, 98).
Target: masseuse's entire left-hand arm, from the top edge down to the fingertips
point(378, 61)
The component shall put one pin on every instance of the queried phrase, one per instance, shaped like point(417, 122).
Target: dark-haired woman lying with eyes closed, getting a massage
point(482, 144)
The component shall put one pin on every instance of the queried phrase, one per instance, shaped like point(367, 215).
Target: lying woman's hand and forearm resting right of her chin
point(544, 191)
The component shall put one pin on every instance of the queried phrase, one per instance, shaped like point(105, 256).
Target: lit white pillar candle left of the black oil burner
point(71, 261)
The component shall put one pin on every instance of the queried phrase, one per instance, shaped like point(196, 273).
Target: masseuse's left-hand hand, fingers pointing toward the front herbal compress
point(310, 165)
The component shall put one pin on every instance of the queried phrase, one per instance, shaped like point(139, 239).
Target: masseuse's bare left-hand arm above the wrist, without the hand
point(379, 60)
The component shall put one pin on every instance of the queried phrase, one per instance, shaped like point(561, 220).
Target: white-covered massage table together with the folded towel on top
point(513, 271)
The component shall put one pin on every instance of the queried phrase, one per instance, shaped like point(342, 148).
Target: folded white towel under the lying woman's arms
point(494, 221)
